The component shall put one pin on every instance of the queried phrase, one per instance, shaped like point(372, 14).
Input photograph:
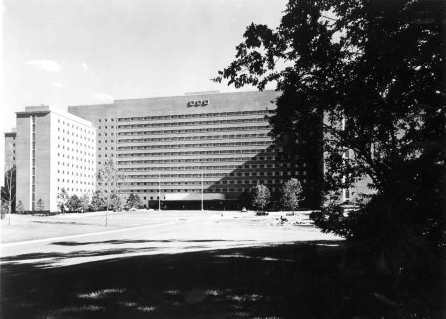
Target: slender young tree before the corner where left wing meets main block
point(109, 181)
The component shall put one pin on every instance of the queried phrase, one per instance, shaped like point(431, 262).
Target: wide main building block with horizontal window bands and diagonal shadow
point(192, 150)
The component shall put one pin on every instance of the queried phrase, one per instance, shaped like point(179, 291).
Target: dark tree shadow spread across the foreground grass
point(300, 280)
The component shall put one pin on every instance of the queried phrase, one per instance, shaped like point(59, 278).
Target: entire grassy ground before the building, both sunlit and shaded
point(284, 270)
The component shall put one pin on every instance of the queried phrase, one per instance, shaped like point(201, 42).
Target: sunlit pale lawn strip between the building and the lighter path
point(29, 227)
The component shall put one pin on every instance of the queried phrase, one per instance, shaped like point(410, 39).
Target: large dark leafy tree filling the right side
point(374, 71)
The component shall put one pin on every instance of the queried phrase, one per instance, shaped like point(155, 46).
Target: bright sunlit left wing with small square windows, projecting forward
point(52, 150)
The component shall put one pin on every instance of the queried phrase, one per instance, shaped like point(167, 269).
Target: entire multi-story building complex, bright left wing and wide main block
point(199, 150)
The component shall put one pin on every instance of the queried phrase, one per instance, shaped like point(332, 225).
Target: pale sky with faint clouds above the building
point(73, 52)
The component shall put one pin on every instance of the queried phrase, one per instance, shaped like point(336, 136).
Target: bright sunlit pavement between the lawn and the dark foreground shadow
point(165, 234)
